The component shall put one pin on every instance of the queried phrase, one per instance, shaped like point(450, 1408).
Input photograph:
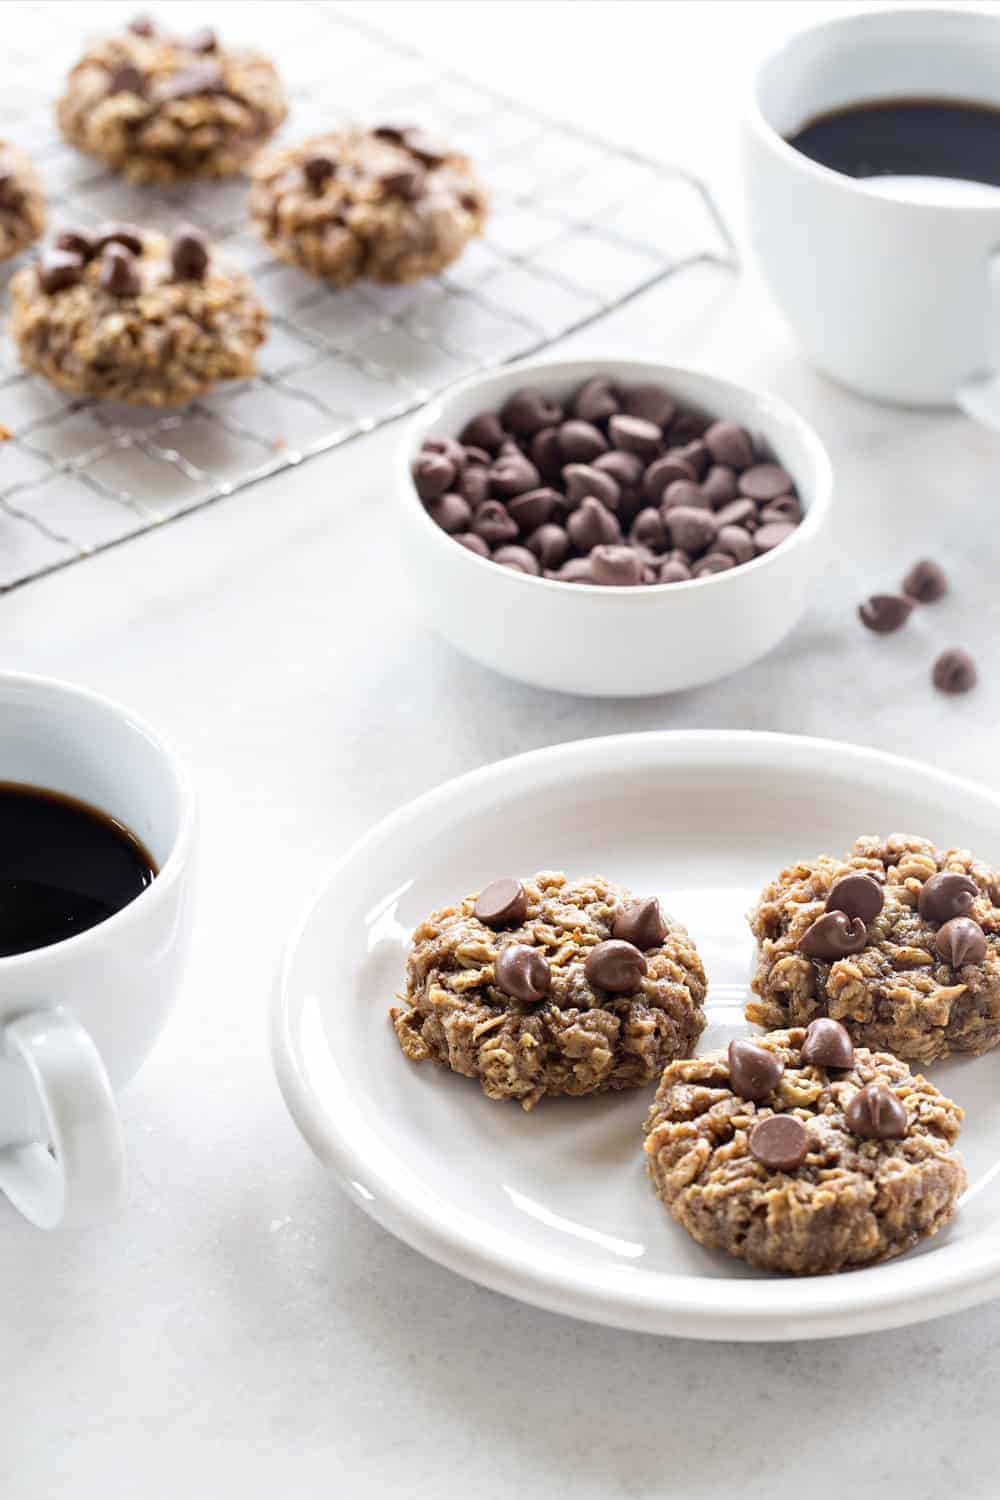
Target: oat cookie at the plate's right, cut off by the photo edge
point(899, 941)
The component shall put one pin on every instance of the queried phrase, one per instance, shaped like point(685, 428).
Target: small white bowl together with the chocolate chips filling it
point(612, 527)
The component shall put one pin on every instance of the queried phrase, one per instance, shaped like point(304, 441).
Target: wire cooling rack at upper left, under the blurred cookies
point(576, 230)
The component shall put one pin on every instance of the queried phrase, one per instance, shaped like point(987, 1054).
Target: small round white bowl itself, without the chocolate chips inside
point(615, 643)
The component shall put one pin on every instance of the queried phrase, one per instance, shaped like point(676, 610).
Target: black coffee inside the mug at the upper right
point(906, 139)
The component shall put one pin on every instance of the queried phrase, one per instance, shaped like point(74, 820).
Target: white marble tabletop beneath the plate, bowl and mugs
point(244, 1330)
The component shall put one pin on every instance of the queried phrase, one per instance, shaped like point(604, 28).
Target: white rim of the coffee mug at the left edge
point(175, 863)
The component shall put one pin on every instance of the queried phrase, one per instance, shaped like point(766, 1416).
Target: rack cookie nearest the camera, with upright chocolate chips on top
point(130, 316)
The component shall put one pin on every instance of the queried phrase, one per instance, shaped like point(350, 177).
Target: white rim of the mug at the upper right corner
point(858, 187)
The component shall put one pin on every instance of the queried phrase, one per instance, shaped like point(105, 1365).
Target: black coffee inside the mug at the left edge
point(64, 868)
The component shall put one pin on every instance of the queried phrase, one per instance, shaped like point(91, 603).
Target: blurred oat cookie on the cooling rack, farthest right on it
point(388, 205)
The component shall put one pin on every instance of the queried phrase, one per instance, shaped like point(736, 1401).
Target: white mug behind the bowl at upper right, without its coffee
point(887, 287)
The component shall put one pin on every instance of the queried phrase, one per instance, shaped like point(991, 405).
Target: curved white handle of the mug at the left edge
point(74, 1177)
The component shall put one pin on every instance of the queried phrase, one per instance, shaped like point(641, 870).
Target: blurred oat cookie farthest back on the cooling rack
point(164, 109)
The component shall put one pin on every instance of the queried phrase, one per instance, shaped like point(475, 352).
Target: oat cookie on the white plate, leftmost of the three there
point(551, 986)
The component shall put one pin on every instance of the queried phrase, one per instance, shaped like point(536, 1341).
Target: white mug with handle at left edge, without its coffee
point(79, 1018)
